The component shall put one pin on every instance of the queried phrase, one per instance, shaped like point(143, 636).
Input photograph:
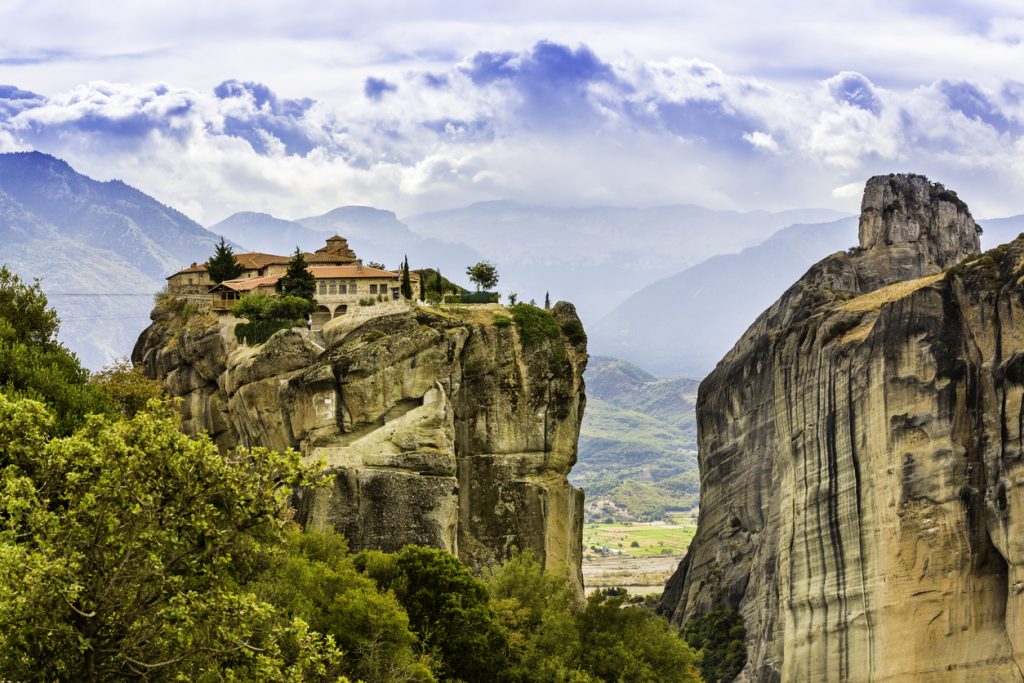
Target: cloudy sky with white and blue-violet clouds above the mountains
point(297, 108)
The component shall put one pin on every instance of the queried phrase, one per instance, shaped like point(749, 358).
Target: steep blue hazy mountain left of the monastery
point(100, 249)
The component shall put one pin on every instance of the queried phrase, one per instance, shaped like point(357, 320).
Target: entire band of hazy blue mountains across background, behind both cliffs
point(655, 286)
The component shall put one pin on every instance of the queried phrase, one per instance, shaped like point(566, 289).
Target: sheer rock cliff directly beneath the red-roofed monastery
point(440, 431)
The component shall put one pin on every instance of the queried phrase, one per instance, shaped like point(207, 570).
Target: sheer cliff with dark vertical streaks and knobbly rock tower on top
point(861, 453)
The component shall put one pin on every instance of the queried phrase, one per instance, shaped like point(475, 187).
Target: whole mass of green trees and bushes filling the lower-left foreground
point(131, 550)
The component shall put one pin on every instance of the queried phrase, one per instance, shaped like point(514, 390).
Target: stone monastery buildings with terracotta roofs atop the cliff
point(343, 281)
